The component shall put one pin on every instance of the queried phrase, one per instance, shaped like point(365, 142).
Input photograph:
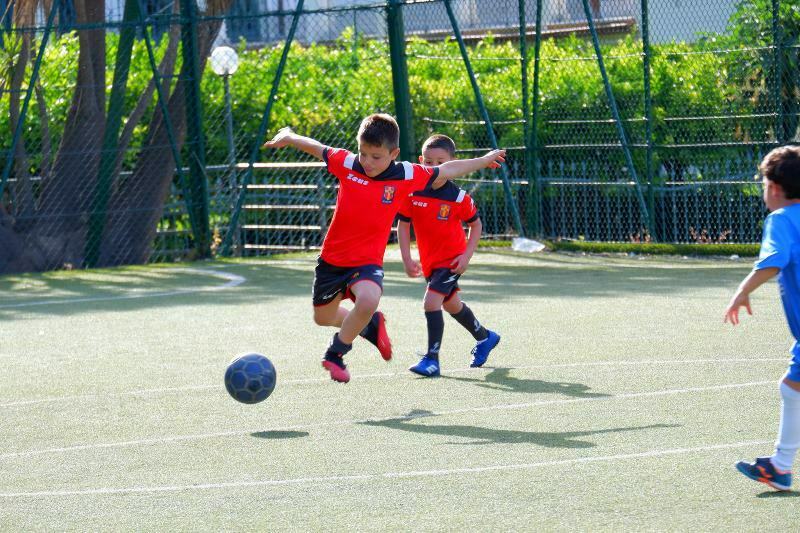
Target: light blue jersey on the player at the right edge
point(780, 248)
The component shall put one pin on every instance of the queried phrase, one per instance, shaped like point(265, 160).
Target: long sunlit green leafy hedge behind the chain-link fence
point(327, 89)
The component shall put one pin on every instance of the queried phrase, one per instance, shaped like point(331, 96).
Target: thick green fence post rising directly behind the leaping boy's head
point(402, 96)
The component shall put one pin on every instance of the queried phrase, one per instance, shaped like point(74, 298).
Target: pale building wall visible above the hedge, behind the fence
point(680, 20)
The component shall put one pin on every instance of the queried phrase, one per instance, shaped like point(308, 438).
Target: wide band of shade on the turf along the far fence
point(126, 288)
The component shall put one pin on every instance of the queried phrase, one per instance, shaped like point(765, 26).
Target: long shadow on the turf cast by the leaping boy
point(482, 435)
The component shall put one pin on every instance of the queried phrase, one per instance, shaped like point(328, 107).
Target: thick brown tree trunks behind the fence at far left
point(46, 226)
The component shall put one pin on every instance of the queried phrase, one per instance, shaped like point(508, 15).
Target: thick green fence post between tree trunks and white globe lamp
point(195, 142)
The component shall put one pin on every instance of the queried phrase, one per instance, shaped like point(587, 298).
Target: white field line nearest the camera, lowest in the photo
point(379, 476)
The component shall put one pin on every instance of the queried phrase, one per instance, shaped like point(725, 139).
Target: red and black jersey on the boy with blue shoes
point(437, 216)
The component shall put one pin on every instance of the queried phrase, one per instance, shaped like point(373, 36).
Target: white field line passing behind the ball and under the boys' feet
point(175, 390)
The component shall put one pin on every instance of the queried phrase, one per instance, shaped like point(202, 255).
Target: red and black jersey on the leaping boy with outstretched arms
point(366, 207)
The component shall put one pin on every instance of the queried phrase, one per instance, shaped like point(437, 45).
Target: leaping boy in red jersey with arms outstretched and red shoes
point(371, 187)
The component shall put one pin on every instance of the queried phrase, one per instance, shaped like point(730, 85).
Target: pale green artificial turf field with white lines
point(617, 400)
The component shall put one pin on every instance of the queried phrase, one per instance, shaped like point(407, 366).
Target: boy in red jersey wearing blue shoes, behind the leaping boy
point(437, 215)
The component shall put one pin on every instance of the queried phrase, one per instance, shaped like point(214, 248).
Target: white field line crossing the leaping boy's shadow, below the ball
point(497, 407)
